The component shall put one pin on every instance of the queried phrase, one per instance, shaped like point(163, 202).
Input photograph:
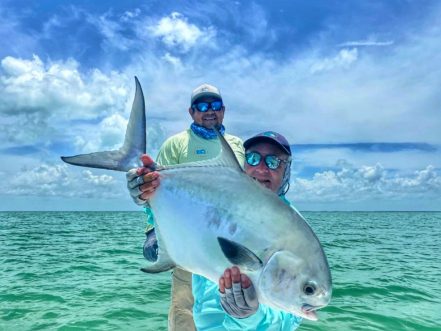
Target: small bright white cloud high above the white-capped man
point(177, 33)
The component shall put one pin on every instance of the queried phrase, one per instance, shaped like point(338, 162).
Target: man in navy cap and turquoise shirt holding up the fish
point(232, 303)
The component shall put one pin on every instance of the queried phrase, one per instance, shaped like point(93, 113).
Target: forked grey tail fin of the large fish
point(127, 156)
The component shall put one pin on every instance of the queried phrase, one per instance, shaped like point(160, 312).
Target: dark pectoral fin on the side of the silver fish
point(239, 255)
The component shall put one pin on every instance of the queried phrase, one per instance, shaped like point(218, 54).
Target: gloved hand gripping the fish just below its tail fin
point(142, 182)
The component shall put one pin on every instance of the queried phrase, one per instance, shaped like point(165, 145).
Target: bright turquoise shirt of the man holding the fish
point(209, 315)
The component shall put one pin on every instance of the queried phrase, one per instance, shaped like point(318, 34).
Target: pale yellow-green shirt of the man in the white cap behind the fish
point(187, 147)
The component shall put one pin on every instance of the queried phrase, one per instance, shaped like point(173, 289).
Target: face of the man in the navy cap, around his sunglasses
point(272, 179)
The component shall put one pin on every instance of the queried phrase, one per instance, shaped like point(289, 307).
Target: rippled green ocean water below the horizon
point(80, 271)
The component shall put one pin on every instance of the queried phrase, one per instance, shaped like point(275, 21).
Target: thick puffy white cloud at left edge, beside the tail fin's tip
point(57, 88)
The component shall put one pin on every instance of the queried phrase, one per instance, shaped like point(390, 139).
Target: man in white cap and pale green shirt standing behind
point(199, 142)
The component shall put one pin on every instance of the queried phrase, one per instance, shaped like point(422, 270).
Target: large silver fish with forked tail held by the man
point(210, 215)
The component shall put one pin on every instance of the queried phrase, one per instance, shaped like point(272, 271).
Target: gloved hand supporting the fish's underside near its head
point(238, 296)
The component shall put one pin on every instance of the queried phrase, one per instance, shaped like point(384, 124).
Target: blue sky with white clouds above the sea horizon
point(355, 86)
